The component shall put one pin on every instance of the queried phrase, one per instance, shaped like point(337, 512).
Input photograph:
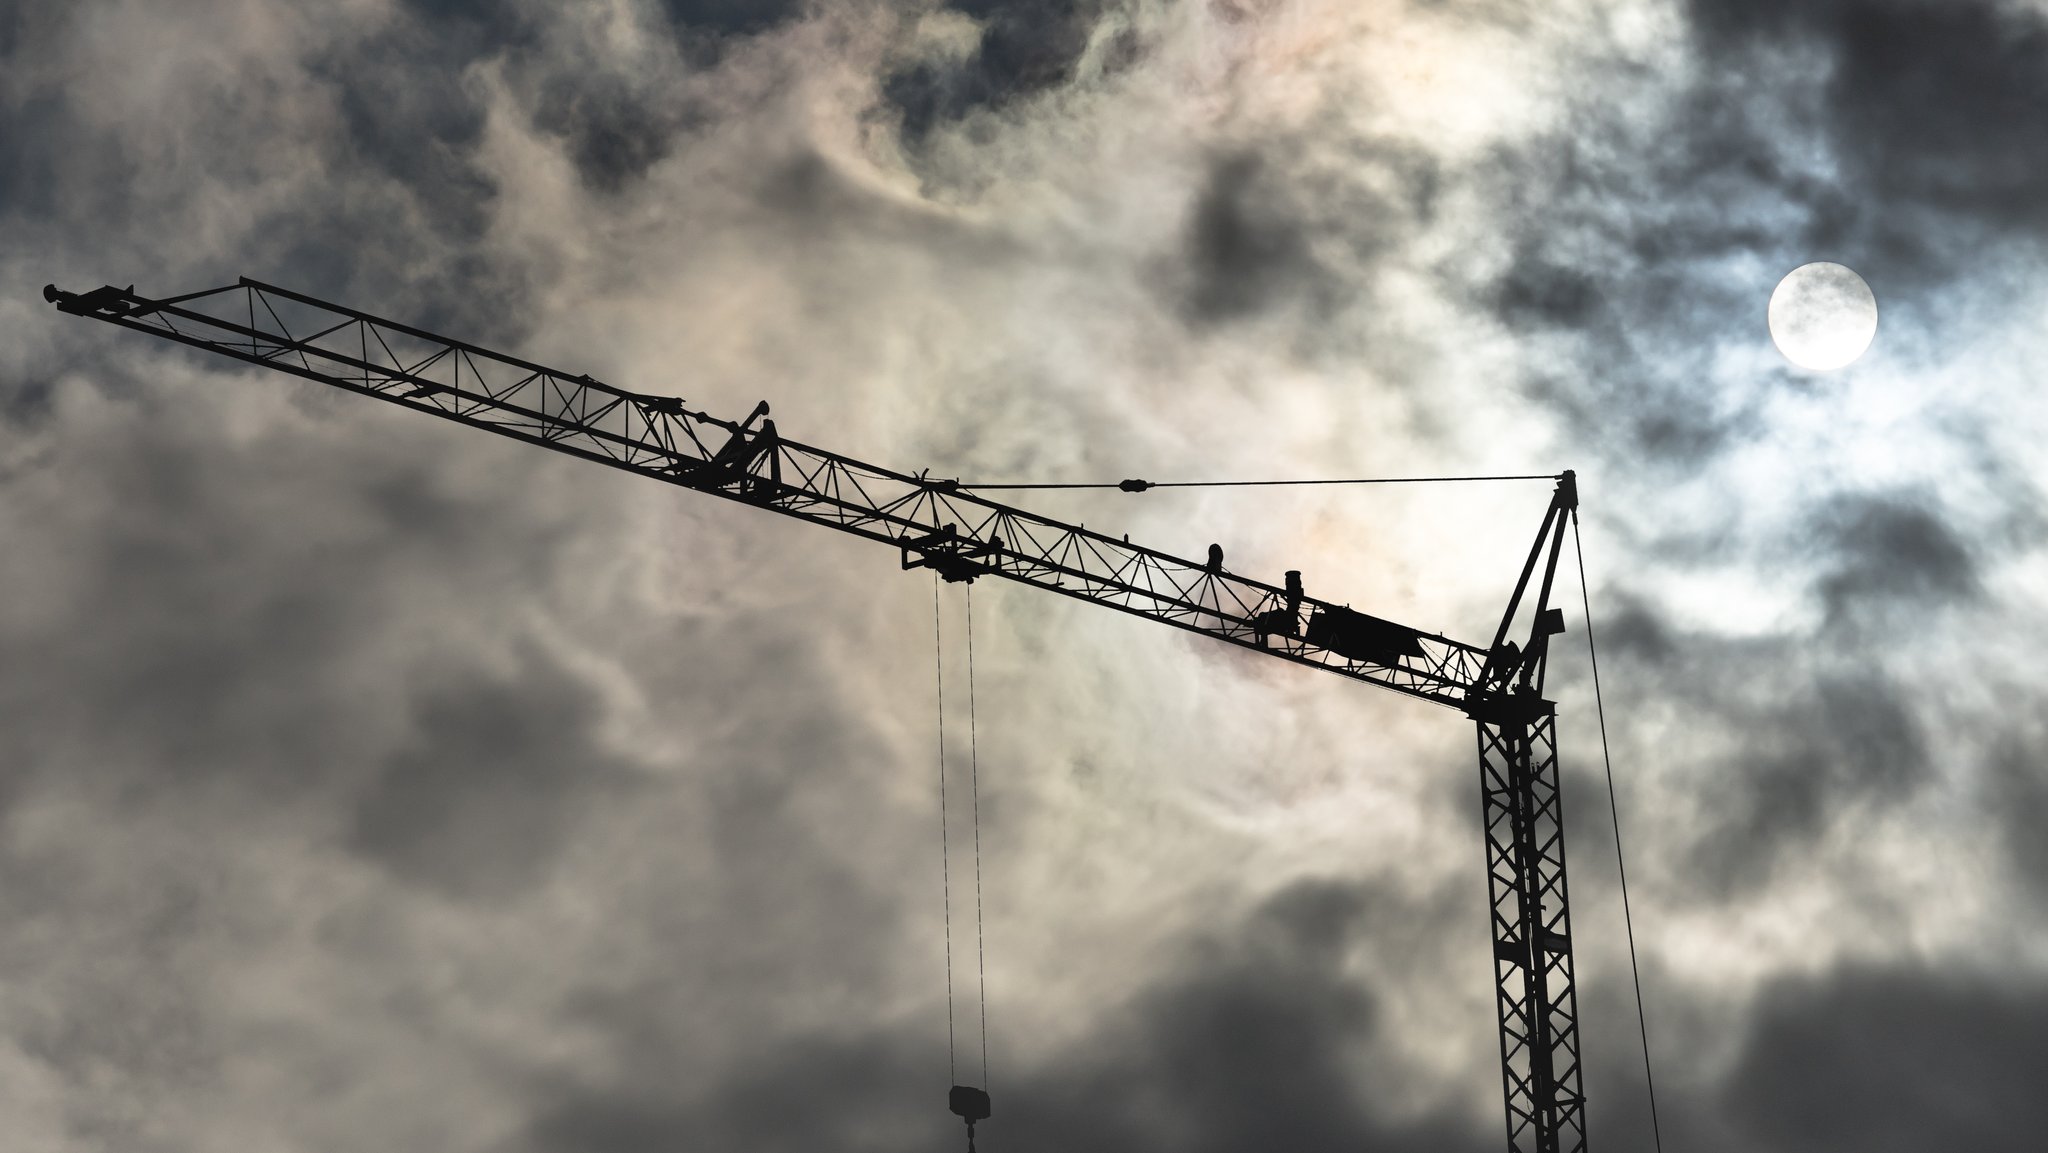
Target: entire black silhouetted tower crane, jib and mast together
point(962, 536)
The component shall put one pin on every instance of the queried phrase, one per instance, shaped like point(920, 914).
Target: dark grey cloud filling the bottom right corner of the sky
point(1893, 1062)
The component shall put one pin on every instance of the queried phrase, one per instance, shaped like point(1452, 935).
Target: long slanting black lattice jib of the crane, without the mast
point(935, 521)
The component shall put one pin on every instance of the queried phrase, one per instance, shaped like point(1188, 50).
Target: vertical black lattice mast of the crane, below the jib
point(1535, 988)
